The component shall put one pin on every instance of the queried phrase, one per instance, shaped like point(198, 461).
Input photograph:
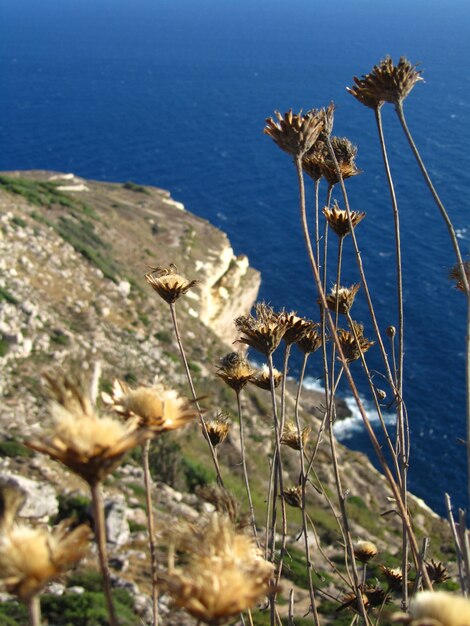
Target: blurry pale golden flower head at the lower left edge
point(31, 557)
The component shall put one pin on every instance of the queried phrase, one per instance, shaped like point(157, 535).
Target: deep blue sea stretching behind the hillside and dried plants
point(174, 93)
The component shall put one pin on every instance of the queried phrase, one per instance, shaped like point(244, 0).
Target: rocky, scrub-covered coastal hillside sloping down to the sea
point(73, 296)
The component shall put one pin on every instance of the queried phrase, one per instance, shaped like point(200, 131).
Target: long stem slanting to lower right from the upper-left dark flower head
point(377, 448)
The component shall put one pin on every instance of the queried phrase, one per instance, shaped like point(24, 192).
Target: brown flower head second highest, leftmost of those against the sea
point(295, 133)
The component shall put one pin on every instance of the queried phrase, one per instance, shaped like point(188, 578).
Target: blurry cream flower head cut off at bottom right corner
point(436, 608)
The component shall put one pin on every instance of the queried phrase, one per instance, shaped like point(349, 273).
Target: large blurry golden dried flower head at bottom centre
point(224, 574)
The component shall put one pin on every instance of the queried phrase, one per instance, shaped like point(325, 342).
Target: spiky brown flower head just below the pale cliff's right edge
point(263, 331)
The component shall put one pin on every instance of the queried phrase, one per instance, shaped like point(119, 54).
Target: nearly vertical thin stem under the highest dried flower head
point(403, 451)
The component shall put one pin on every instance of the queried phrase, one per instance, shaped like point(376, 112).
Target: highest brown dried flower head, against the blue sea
point(386, 83)
